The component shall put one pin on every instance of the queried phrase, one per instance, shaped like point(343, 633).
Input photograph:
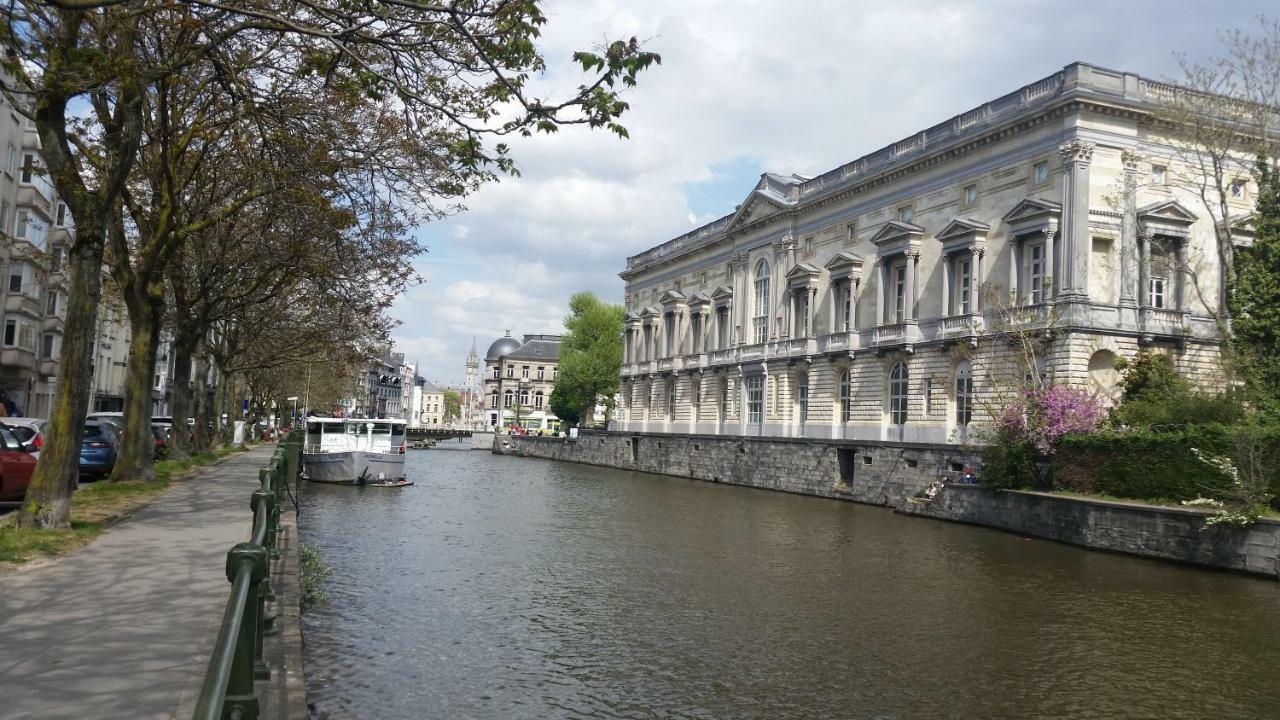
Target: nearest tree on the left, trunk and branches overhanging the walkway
point(458, 76)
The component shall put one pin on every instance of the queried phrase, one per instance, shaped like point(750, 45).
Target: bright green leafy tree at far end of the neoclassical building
point(591, 359)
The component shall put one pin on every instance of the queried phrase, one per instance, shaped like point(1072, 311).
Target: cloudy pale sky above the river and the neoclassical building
point(746, 86)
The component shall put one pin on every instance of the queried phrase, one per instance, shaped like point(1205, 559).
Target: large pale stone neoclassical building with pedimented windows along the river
point(1048, 233)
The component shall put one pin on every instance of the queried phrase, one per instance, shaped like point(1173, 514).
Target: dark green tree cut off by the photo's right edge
point(1256, 299)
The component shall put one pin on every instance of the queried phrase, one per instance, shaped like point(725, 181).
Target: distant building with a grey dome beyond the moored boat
point(519, 380)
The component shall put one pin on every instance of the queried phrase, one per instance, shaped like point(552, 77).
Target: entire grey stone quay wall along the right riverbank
point(893, 475)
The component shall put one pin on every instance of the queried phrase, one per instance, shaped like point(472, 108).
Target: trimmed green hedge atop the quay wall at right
point(1146, 466)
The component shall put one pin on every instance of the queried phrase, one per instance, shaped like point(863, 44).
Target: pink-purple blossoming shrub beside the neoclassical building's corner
point(1041, 417)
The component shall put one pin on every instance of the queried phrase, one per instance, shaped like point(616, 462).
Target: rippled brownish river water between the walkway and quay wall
point(506, 587)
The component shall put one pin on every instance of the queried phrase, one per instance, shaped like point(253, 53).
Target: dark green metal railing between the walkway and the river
point(237, 663)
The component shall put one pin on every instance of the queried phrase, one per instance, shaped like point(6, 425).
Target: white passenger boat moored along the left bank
point(355, 452)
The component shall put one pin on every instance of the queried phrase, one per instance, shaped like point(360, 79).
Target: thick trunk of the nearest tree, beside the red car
point(49, 496)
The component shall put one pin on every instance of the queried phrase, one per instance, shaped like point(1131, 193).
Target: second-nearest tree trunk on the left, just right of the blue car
point(136, 458)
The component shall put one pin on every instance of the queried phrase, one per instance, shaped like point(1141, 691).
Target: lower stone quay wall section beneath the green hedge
point(1168, 534)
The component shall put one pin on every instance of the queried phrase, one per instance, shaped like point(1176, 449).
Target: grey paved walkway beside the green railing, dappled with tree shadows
point(124, 628)
